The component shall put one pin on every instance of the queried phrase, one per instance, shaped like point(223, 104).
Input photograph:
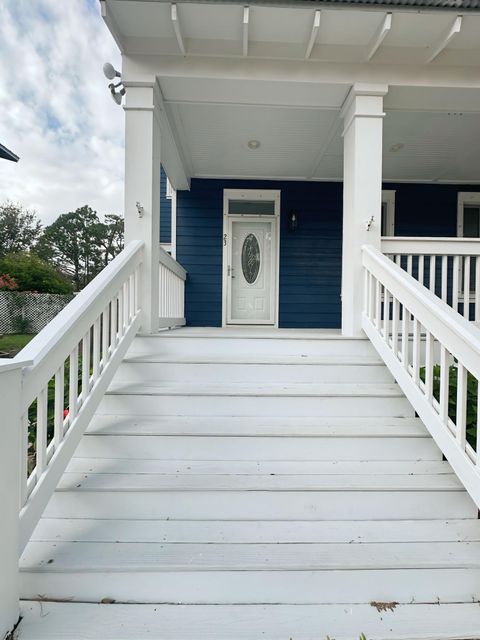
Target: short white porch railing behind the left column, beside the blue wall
point(172, 278)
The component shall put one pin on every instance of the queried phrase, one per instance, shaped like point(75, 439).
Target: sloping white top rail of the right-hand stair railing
point(457, 334)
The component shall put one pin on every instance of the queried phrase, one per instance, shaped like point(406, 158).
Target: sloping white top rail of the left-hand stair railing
point(69, 324)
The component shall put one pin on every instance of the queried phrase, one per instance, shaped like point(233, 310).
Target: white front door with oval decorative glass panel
point(251, 271)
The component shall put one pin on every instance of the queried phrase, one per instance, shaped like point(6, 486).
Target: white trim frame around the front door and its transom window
point(251, 194)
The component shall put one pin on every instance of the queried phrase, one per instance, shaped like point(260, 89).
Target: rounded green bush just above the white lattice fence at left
point(31, 273)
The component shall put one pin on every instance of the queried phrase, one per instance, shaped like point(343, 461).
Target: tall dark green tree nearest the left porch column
point(71, 245)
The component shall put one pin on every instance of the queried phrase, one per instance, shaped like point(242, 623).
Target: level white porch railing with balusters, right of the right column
point(449, 267)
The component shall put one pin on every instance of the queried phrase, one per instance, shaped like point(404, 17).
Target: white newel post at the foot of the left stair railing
point(10, 482)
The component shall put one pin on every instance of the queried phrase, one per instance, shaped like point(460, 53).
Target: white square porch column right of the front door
point(363, 114)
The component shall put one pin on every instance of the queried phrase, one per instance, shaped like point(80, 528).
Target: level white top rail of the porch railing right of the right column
point(430, 245)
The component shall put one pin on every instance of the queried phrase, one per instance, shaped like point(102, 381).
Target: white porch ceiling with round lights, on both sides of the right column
point(299, 141)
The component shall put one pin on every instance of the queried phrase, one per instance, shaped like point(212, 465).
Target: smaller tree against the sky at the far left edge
point(19, 228)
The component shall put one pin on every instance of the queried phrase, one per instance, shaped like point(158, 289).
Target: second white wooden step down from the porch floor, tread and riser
point(276, 400)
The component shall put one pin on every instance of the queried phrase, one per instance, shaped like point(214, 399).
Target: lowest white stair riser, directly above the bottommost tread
point(247, 587)
